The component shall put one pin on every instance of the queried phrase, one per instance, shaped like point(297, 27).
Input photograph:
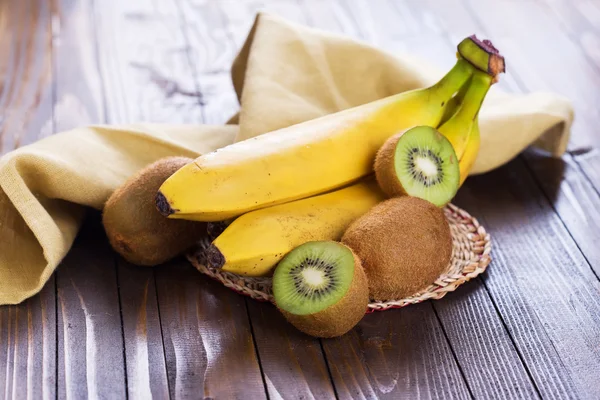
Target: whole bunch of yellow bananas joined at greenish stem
point(298, 184)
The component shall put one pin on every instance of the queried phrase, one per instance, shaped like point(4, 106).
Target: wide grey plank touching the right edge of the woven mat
point(541, 284)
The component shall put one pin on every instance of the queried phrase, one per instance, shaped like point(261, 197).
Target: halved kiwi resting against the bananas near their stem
point(418, 162)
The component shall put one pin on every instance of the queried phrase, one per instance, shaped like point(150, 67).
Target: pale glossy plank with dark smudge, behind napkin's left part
point(143, 58)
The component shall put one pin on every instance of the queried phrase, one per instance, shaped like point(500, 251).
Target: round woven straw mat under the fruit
point(470, 257)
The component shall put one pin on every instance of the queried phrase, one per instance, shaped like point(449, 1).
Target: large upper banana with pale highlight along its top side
point(302, 160)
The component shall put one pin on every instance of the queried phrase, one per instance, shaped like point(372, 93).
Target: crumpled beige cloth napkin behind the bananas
point(284, 74)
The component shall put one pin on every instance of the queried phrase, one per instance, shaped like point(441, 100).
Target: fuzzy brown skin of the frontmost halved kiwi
point(342, 316)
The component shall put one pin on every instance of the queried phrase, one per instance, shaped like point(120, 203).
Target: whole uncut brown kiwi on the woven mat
point(404, 243)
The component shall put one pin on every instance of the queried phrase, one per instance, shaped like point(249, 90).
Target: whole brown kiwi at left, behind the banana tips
point(136, 229)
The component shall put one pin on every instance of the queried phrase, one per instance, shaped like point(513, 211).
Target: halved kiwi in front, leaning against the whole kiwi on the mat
point(321, 288)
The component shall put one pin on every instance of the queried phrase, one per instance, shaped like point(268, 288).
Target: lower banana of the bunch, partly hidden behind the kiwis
point(255, 242)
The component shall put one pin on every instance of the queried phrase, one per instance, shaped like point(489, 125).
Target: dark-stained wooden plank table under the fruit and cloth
point(101, 328)
